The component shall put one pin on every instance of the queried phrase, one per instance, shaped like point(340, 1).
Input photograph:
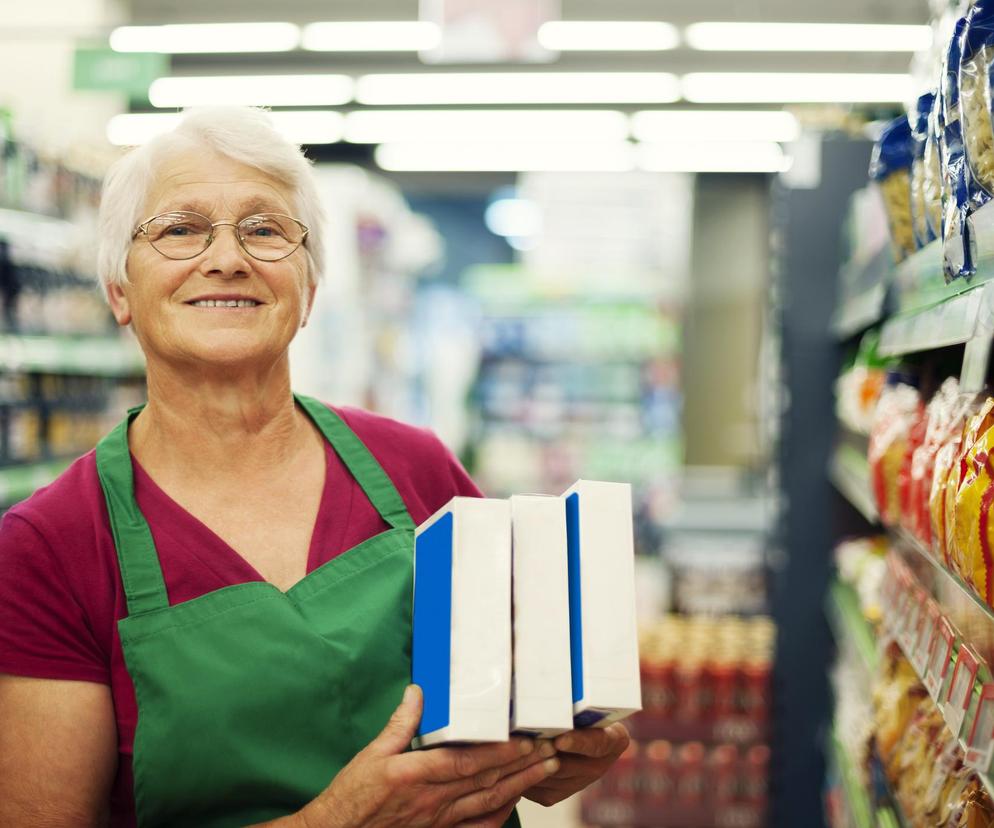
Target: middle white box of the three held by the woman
point(541, 688)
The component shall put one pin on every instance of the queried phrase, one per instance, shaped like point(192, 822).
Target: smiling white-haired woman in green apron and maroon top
point(206, 620)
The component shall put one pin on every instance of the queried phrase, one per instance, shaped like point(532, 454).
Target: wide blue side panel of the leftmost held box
point(432, 643)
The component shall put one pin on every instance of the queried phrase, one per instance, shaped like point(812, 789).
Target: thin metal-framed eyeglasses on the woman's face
point(268, 237)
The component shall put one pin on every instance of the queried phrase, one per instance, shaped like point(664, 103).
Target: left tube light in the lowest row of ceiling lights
point(434, 156)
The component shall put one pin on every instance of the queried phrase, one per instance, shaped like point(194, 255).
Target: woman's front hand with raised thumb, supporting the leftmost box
point(384, 786)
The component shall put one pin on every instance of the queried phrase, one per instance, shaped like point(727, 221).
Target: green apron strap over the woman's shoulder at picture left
point(144, 585)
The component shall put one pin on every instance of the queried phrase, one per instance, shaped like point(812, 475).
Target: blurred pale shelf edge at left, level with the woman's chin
point(89, 355)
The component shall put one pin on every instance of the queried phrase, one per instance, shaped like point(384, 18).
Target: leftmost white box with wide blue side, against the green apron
point(461, 651)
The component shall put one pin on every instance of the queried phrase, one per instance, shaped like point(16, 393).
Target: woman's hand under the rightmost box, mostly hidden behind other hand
point(584, 757)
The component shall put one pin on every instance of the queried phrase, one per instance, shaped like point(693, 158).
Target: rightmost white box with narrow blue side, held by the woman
point(603, 628)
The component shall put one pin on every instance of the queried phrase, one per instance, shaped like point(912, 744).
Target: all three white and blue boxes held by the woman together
point(524, 615)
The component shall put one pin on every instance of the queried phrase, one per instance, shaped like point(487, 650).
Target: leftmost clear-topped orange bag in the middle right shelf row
point(897, 409)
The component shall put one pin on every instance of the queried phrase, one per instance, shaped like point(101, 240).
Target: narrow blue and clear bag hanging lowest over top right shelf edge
point(957, 260)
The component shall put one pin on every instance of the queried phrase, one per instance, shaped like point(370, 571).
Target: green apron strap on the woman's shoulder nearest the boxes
point(364, 467)
